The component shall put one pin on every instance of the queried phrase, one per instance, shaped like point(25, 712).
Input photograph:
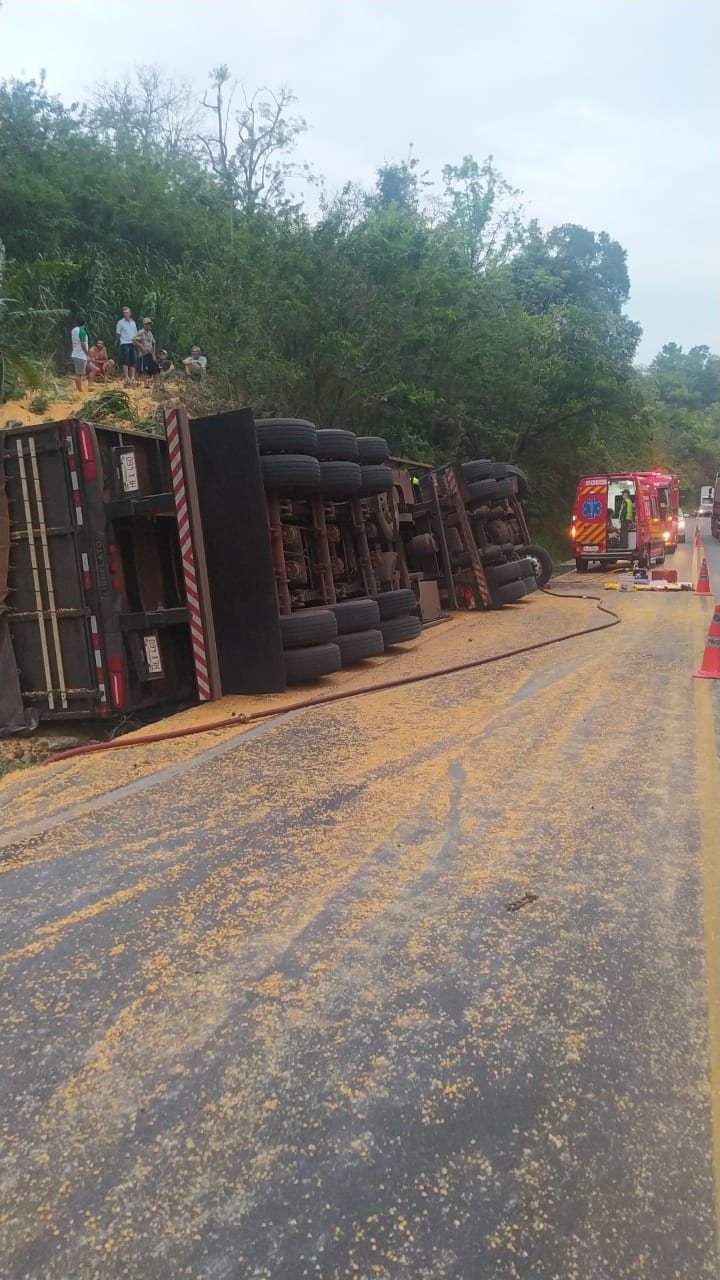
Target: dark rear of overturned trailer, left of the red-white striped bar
point(95, 606)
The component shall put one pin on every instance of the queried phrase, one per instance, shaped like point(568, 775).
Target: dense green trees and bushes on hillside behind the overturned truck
point(434, 314)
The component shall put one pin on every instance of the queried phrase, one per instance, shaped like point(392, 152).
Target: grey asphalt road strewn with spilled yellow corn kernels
point(409, 988)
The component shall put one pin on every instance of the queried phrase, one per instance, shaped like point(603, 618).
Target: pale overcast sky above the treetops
point(604, 113)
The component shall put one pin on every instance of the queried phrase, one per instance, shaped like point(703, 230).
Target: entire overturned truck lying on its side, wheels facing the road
point(230, 557)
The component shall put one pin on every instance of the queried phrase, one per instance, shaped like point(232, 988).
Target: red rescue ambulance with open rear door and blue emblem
point(627, 516)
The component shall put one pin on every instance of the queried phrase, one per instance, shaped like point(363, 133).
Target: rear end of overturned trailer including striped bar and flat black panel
point(98, 619)
